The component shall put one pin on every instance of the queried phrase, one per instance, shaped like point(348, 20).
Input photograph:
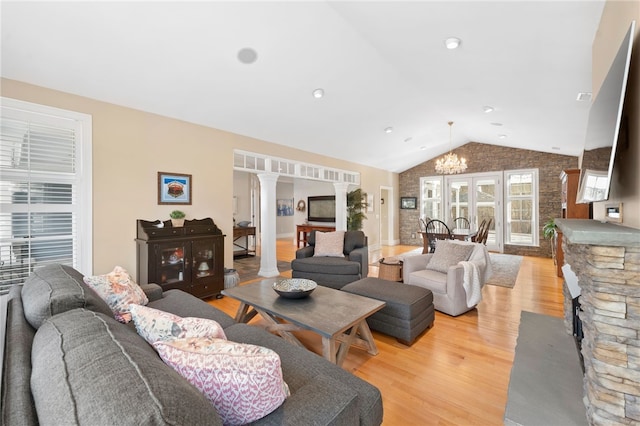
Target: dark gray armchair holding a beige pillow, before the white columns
point(334, 272)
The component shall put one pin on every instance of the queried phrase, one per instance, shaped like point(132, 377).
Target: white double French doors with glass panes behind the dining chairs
point(477, 197)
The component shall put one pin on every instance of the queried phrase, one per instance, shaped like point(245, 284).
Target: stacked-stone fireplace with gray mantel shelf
point(606, 260)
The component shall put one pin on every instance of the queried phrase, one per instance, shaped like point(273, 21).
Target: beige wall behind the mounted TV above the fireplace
point(625, 189)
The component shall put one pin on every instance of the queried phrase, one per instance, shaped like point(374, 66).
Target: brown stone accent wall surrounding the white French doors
point(487, 158)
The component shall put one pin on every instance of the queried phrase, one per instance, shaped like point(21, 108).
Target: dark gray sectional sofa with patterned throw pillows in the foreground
point(67, 361)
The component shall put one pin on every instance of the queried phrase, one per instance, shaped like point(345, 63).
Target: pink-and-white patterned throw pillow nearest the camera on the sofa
point(243, 382)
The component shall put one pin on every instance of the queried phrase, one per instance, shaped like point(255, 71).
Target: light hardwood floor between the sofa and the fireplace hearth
point(457, 373)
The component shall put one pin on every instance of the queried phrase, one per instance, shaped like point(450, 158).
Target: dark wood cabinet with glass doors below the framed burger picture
point(188, 258)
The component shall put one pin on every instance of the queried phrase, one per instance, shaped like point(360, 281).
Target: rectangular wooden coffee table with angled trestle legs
point(338, 317)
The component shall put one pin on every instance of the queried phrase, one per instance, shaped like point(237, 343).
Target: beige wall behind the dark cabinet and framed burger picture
point(130, 147)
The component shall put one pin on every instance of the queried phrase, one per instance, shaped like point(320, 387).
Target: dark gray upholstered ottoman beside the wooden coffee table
point(408, 312)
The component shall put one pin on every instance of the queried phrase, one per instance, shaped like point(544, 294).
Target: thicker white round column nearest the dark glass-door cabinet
point(268, 259)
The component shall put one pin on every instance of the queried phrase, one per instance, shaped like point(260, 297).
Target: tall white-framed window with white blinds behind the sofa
point(45, 189)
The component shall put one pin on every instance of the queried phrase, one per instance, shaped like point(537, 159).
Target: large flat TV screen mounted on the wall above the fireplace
point(604, 128)
